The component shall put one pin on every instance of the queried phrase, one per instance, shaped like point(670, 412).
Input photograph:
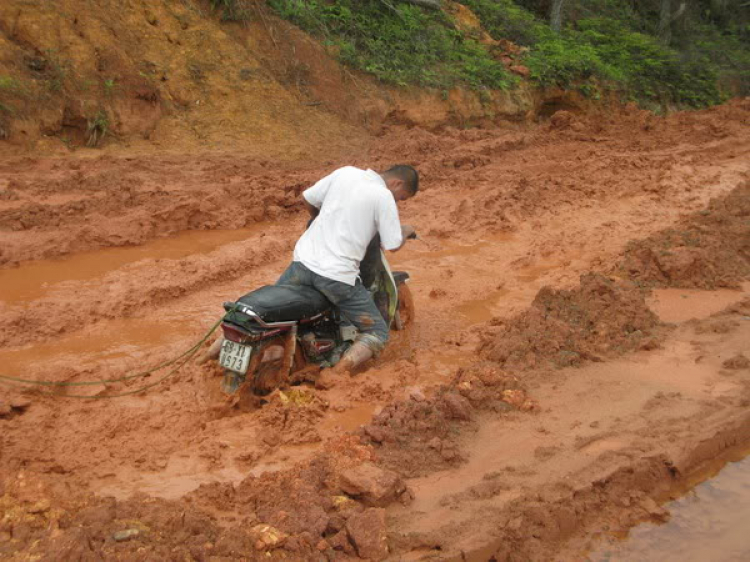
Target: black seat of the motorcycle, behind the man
point(284, 303)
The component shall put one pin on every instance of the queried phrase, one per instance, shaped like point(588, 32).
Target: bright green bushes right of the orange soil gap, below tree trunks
point(606, 50)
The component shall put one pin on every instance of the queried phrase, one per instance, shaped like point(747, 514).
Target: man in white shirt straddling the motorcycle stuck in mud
point(349, 208)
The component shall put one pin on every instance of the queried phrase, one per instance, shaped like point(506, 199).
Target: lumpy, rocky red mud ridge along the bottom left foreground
point(301, 513)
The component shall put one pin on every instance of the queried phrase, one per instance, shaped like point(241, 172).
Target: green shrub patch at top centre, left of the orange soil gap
point(399, 43)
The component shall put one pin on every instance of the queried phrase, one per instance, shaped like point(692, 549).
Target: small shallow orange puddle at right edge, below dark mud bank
point(680, 305)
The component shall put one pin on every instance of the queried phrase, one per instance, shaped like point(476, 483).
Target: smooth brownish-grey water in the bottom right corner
point(711, 522)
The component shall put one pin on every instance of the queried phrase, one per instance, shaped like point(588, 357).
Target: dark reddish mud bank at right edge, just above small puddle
point(710, 249)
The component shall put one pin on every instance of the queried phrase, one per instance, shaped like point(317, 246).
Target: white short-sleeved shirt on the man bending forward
point(354, 206)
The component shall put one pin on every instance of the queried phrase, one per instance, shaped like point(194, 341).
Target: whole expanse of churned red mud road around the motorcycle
point(475, 443)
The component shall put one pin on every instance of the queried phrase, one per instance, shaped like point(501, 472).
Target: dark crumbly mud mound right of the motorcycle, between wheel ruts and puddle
point(561, 328)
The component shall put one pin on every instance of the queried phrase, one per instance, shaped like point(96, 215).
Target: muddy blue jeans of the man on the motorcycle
point(354, 303)
